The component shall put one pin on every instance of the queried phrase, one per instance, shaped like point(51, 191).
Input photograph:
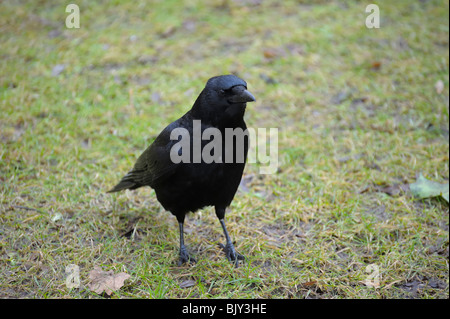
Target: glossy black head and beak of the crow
point(224, 97)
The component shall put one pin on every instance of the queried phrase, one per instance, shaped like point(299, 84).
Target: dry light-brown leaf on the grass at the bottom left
point(106, 281)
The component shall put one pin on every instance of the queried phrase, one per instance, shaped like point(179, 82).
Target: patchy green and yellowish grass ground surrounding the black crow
point(347, 129)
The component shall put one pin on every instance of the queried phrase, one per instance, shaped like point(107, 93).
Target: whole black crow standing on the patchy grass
point(191, 181)
